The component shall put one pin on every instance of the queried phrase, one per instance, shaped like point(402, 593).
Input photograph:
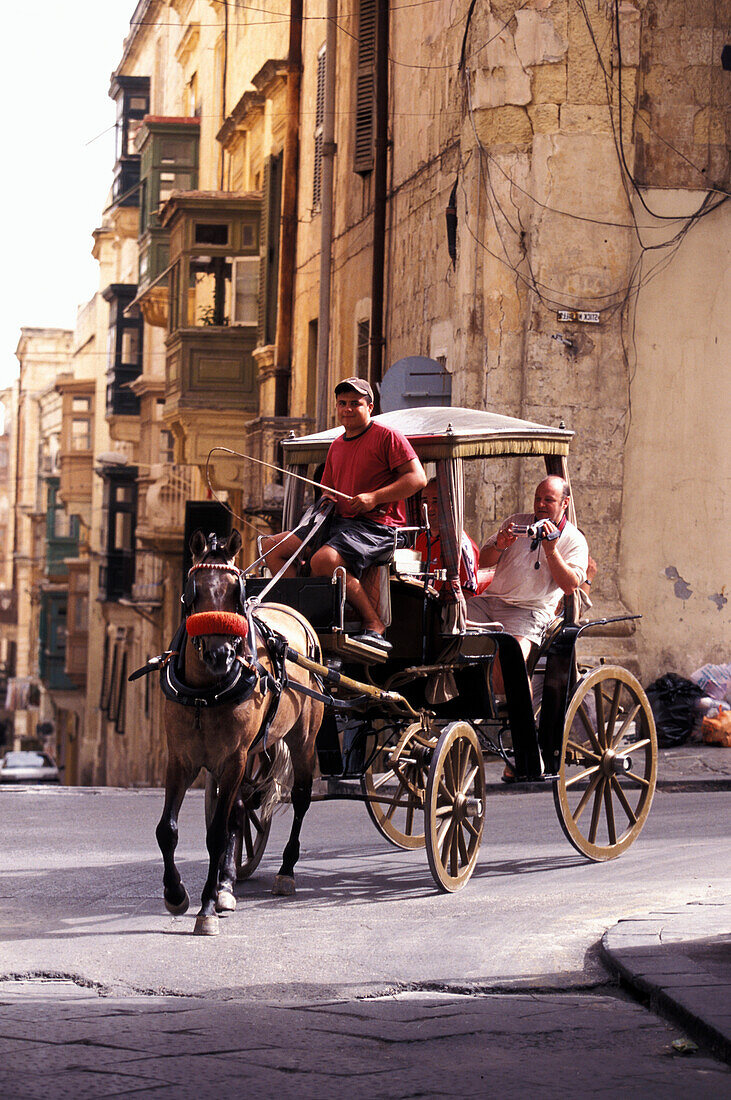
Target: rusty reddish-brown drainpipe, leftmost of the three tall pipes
point(289, 236)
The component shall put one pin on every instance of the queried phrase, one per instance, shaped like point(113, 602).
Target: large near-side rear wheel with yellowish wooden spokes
point(608, 765)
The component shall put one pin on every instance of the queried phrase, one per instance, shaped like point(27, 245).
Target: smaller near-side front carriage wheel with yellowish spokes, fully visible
point(456, 807)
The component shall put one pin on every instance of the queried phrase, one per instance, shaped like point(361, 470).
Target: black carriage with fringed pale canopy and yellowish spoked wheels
point(422, 773)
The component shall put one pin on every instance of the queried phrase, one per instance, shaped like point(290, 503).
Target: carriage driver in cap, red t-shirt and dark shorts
point(378, 469)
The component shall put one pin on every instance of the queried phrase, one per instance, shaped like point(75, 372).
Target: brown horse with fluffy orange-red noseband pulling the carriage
point(228, 696)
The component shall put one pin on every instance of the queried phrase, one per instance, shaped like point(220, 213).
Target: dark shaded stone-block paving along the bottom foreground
point(59, 1040)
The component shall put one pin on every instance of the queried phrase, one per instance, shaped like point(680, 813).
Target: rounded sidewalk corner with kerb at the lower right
point(680, 963)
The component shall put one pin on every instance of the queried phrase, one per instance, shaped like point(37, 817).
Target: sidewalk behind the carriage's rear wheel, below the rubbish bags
point(685, 768)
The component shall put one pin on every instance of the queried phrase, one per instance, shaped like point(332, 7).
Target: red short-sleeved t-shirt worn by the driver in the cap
point(365, 465)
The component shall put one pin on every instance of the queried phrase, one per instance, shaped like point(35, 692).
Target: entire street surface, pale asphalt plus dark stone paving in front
point(367, 982)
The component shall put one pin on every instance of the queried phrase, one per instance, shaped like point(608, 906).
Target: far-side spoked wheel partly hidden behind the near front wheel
point(395, 789)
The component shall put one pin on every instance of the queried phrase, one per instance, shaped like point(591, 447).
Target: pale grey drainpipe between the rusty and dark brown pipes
point(329, 150)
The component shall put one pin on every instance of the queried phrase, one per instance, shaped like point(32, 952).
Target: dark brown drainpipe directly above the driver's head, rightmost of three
point(381, 192)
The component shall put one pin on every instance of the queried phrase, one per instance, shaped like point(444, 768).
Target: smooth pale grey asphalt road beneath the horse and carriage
point(81, 885)
